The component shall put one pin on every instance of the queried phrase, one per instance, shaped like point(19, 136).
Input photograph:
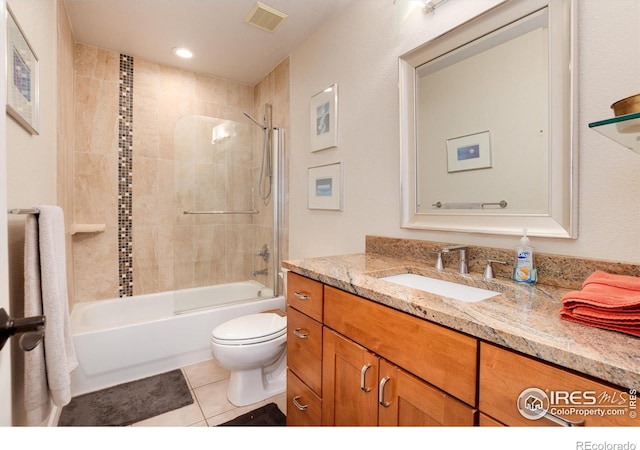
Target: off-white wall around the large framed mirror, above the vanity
point(366, 71)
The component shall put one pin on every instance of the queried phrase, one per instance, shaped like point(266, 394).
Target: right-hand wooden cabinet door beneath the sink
point(408, 401)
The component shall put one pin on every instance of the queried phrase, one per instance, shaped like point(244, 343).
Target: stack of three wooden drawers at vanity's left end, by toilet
point(304, 350)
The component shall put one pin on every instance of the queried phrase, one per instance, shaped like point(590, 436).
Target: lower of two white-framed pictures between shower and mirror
point(325, 187)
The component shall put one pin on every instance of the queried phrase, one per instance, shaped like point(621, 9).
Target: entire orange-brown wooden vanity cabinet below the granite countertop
point(354, 361)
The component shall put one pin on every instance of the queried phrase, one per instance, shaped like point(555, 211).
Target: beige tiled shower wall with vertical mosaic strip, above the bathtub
point(163, 256)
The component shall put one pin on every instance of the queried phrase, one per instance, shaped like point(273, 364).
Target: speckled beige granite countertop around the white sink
point(522, 318)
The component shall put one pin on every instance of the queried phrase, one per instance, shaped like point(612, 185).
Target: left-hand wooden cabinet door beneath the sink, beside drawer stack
point(349, 383)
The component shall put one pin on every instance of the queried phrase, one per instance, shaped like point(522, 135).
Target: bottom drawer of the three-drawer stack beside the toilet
point(304, 408)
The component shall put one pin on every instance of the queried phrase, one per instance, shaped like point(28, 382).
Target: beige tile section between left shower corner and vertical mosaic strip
point(94, 171)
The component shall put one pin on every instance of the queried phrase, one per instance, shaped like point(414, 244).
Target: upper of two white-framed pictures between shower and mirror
point(324, 119)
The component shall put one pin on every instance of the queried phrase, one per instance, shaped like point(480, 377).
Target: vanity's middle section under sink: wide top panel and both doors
point(391, 368)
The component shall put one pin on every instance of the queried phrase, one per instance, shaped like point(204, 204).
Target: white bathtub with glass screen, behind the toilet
point(125, 339)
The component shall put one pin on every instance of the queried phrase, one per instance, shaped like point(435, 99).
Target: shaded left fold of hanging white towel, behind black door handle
point(36, 392)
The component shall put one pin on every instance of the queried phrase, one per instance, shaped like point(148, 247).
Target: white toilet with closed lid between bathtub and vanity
point(253, 348)
